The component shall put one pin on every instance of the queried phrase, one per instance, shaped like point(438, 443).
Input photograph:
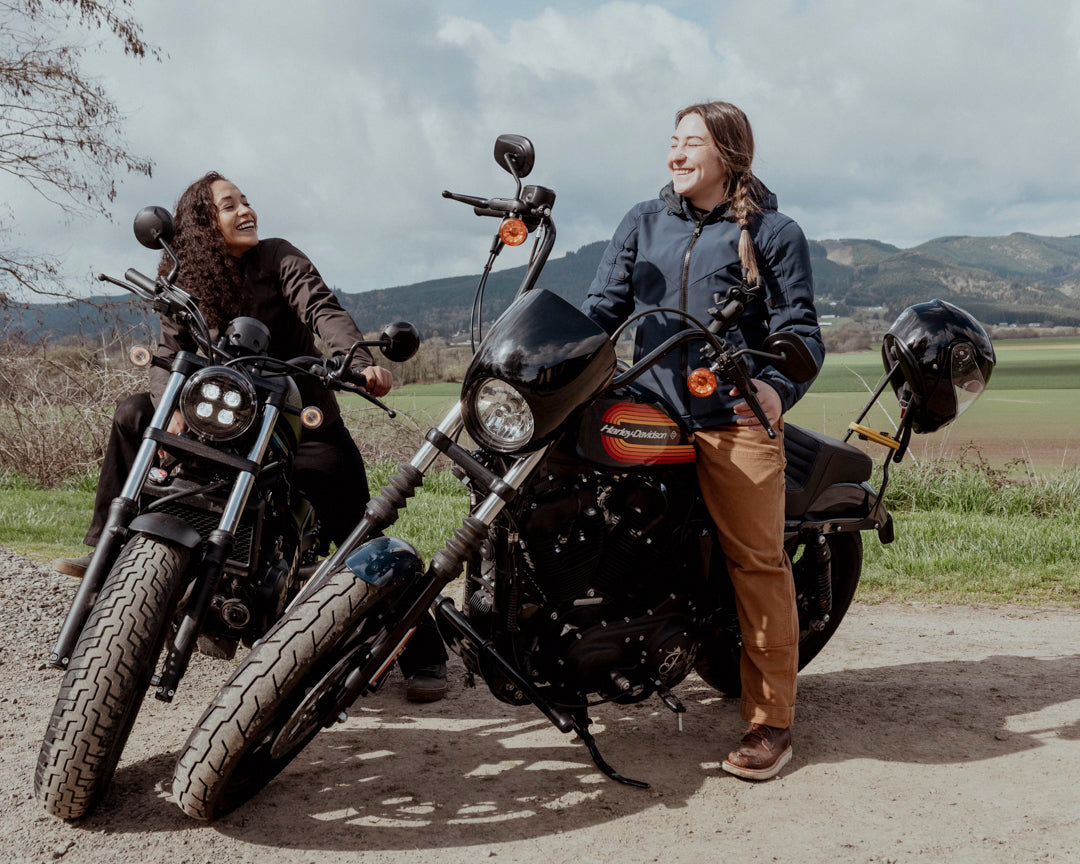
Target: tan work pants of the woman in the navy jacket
point(741, 472)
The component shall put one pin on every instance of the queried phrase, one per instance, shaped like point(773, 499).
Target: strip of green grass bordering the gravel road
point(963, 536)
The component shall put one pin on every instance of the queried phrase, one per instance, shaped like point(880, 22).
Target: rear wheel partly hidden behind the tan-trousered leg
point(719, 659)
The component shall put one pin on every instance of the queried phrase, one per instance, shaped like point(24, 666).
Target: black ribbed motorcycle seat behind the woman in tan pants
point(816, 463)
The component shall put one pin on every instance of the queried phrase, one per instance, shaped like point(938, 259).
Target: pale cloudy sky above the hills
point(344, 120)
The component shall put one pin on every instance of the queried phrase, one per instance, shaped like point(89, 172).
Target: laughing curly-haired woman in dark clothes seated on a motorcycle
point(233, 273)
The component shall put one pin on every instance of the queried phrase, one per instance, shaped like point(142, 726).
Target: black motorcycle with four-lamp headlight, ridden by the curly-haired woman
point(208, 542)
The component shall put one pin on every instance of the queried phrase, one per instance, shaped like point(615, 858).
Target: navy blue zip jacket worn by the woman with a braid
point(667, 254)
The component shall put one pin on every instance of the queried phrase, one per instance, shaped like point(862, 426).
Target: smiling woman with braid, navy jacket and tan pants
point(714, 227)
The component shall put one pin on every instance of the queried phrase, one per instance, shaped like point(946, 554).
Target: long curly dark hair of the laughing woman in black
point(208, 271)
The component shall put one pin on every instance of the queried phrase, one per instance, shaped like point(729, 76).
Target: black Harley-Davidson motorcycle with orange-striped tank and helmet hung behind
point(589, 559)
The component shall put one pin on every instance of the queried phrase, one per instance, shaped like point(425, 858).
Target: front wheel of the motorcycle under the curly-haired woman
point(109, 677)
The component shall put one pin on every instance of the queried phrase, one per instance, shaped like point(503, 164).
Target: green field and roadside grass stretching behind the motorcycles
point(988, 510)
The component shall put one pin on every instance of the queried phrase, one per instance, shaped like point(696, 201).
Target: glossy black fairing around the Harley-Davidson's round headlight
point(551, 353)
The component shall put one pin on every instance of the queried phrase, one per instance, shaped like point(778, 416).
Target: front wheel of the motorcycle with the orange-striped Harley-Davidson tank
point(285, 692)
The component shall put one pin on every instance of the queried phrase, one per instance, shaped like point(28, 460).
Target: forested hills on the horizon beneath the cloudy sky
point(1020, 279)
